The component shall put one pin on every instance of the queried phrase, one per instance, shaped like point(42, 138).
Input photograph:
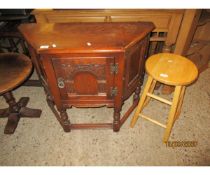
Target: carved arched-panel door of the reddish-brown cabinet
point(84, 80)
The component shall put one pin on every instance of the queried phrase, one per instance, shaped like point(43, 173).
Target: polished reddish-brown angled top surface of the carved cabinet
point(84, 37)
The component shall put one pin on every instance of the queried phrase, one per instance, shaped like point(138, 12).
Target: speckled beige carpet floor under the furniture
point(43, 142)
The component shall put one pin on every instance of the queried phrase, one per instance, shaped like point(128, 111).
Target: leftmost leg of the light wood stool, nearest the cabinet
point(141, 102)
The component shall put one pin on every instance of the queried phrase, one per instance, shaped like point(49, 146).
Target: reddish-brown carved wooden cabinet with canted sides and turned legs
point(89, 65)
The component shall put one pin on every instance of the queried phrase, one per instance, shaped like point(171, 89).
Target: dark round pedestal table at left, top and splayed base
point(14, 69)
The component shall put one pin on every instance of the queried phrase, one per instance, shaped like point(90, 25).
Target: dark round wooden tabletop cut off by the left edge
point(14, 69)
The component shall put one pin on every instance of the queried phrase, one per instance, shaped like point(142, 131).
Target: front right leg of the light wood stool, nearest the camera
point(172, 113)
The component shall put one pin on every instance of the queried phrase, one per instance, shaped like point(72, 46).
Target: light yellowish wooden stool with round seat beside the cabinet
point(169, 69)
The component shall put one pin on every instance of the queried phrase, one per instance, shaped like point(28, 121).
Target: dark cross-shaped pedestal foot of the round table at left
point(15, 111)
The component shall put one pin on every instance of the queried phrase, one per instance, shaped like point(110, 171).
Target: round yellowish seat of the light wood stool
point(171, 69)
